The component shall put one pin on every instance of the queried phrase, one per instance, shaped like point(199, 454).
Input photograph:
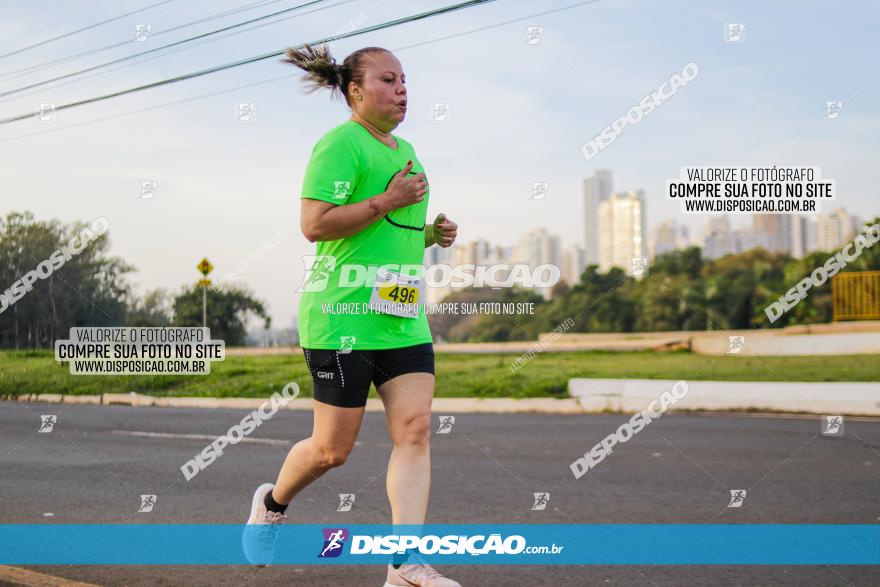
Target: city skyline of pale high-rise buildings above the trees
point(620, 219)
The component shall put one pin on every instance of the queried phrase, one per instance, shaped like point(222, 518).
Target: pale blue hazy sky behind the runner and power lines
point(519, 113)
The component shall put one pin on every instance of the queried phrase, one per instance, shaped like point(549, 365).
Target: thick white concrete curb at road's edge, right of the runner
point(632, 395)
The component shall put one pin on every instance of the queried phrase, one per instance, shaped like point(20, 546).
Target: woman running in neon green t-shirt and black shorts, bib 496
point(364, 201)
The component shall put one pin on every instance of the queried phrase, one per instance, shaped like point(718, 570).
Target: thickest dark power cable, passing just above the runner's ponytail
point(248, 60)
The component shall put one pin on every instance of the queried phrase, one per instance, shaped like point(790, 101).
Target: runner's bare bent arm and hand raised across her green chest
point(324, 221)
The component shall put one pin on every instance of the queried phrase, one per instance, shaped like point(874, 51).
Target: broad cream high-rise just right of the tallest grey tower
point(622, 234)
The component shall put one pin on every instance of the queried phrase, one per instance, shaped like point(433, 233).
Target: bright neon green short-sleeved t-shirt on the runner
point(349, 165)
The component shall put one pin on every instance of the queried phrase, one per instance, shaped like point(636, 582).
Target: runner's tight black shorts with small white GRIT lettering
point(343, 379)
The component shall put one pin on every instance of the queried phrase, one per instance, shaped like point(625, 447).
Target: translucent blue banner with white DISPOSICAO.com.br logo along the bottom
point(523, 544)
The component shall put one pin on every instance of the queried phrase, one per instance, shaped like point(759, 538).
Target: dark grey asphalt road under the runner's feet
point(92, 469)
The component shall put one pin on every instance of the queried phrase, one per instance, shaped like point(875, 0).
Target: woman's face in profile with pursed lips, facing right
point(384, 91)
